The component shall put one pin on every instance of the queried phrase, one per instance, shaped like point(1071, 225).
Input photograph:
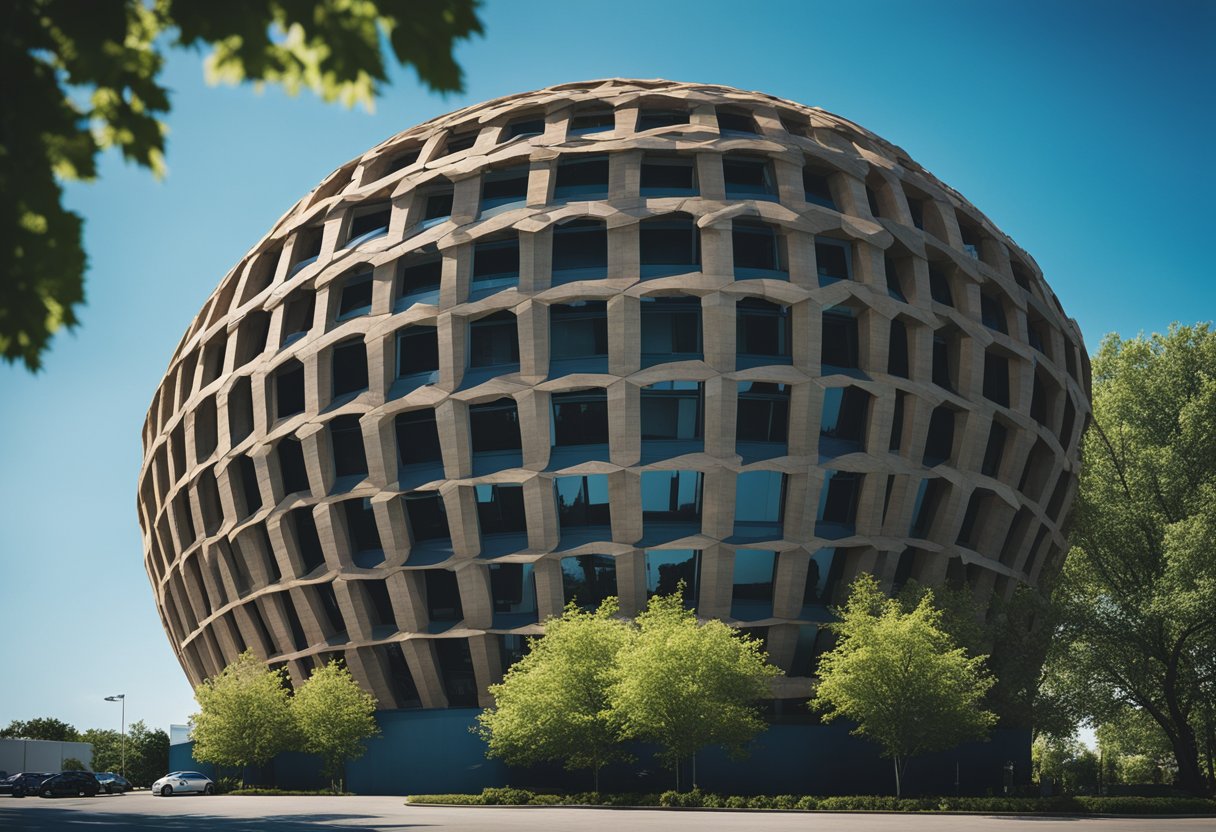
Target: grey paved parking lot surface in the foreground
point(140, 811)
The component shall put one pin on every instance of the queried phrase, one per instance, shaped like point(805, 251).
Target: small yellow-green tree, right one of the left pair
point(334, 717)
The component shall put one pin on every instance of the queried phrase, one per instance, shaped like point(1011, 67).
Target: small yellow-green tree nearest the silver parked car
point(244, 717)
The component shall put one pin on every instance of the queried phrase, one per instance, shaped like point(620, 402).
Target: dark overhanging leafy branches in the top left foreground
point(83, 77)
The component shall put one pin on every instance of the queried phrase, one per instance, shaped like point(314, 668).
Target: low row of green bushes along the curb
point(699, 800)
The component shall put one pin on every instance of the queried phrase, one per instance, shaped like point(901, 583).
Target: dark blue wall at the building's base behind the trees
point(426, 752)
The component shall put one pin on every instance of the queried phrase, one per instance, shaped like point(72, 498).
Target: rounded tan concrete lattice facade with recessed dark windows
point(898, 328)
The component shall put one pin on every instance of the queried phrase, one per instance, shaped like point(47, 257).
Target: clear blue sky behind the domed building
point(1083, 130)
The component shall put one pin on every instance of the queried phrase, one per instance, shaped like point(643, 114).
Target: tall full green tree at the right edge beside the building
point(1138, 597)
